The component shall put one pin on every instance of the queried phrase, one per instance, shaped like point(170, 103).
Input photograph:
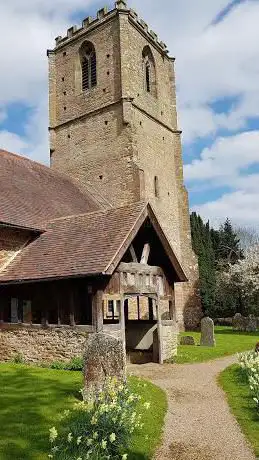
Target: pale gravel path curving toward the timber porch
point(199, 425)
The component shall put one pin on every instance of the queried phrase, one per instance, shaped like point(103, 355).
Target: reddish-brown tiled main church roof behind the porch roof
point(32, 194)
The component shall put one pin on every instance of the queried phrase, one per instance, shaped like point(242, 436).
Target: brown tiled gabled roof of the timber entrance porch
point(84, 245)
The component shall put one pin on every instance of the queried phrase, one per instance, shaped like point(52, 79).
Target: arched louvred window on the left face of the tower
point(88, 66)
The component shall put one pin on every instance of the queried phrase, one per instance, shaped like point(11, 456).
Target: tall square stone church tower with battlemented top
point(113, 125)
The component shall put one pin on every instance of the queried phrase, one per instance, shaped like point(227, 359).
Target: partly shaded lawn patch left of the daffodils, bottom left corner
point(30, 402)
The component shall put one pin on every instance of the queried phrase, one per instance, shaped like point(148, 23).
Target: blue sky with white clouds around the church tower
point(215, 43)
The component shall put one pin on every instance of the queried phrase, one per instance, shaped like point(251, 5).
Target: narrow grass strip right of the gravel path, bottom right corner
point(233, 382)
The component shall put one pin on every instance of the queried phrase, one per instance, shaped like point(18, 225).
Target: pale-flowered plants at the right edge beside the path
point(250, 363)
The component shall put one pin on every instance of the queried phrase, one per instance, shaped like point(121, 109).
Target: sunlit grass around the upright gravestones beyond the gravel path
point(228, 342)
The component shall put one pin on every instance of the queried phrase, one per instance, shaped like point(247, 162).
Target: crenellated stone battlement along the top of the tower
point(105, 13)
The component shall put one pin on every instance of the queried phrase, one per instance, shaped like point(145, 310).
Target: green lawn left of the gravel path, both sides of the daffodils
point(31, 400)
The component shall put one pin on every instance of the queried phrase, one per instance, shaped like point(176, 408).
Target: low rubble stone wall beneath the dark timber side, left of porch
point(38, 344)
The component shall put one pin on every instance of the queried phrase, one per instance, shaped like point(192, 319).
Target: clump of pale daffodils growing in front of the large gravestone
point(100, 427)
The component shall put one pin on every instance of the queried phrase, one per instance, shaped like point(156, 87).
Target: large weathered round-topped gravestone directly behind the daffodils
point(104, 357)
